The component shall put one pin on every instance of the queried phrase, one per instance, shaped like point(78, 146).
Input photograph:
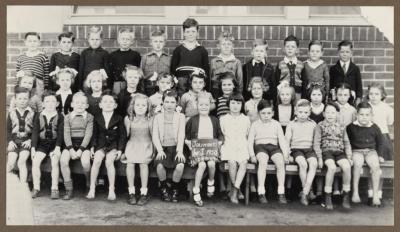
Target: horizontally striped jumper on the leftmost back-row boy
point(38, 64)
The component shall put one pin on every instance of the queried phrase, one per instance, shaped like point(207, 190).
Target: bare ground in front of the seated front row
point(80, 211)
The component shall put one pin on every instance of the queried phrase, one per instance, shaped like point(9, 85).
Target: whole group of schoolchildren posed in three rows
point(147, 109)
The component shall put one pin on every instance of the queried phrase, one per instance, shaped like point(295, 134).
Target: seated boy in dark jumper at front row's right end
point(366, 142)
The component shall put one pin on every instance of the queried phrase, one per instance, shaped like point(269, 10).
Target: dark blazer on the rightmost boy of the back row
point(352, 77)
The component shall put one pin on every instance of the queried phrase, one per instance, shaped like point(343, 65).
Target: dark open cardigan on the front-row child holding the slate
point(192, 128)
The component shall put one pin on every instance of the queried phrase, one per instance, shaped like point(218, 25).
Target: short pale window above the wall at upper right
point(335, 11)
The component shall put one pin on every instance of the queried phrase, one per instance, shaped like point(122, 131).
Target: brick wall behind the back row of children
point(372, 52)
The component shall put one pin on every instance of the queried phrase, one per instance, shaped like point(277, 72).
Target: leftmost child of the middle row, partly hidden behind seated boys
point(27, 80)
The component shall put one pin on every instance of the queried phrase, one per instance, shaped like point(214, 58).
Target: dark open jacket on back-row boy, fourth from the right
point(267, 76)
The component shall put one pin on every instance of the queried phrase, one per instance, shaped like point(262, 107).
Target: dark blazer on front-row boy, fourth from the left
point(111, 137)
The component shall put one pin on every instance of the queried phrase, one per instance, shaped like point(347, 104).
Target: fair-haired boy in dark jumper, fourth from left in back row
point(120, 58)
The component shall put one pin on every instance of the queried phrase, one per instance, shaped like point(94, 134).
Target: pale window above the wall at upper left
point(119, 10)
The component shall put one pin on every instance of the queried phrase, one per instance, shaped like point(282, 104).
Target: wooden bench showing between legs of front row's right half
point(292, 169)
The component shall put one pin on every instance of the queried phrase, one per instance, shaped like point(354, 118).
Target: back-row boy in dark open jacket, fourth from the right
point(259, 67)
